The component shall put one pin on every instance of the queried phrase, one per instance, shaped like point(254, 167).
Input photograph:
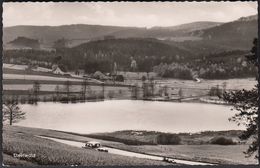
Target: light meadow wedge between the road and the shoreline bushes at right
point(218, 154)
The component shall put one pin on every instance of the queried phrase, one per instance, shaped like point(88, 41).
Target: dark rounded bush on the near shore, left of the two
point(168, 139)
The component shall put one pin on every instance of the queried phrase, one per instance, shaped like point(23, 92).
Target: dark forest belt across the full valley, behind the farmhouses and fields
point(150, 55)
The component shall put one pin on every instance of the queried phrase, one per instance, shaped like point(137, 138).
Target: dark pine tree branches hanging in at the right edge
point(246, 103)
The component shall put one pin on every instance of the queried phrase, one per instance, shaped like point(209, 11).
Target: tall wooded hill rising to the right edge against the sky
point(235, 35)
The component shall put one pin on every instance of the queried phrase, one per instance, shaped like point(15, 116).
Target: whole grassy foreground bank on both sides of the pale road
point(22, 139)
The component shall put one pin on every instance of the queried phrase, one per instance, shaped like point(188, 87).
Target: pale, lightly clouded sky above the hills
point(134, 14)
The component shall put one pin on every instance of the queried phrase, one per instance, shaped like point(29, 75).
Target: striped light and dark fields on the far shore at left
point(18, 82)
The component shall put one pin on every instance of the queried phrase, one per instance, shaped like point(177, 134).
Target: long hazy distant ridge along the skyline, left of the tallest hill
point(49, 34)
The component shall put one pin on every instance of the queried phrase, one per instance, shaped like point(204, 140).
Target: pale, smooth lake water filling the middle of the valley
point(114, 115)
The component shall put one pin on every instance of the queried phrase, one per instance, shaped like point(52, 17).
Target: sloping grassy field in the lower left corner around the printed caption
point(17, 140)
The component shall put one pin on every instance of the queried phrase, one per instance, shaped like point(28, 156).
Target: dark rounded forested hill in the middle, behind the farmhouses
point(146, 52)
